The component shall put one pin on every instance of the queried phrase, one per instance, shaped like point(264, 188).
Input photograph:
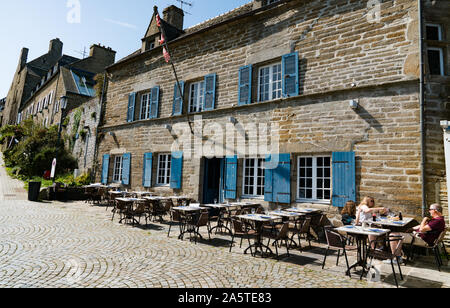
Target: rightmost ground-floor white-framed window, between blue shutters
point(314, 177)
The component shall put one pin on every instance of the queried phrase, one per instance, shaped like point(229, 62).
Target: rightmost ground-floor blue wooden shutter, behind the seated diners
point(344, 178)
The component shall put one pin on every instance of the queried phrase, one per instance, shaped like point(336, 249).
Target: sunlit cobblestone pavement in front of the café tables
point(75, 245)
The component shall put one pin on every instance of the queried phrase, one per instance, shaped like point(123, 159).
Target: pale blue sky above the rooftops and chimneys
point(118, 24)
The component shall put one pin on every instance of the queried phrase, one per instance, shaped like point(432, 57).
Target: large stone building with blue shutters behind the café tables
point(333, 86)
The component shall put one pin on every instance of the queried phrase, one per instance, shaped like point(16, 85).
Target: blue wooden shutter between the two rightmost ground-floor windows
point(278, 181)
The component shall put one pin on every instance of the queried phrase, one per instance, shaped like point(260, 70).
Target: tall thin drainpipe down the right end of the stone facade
point(422, 107)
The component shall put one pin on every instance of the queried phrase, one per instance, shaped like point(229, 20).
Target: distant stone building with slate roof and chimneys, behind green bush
point(74, 80)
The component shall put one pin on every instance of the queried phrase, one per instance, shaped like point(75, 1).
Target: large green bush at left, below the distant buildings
point(37, 148)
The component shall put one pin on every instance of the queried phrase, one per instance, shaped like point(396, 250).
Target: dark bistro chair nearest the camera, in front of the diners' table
point(374, 253)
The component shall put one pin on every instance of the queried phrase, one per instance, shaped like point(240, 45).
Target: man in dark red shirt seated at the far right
point(424, 234)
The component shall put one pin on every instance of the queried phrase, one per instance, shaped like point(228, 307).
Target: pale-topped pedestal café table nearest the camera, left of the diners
point(361, 235)
